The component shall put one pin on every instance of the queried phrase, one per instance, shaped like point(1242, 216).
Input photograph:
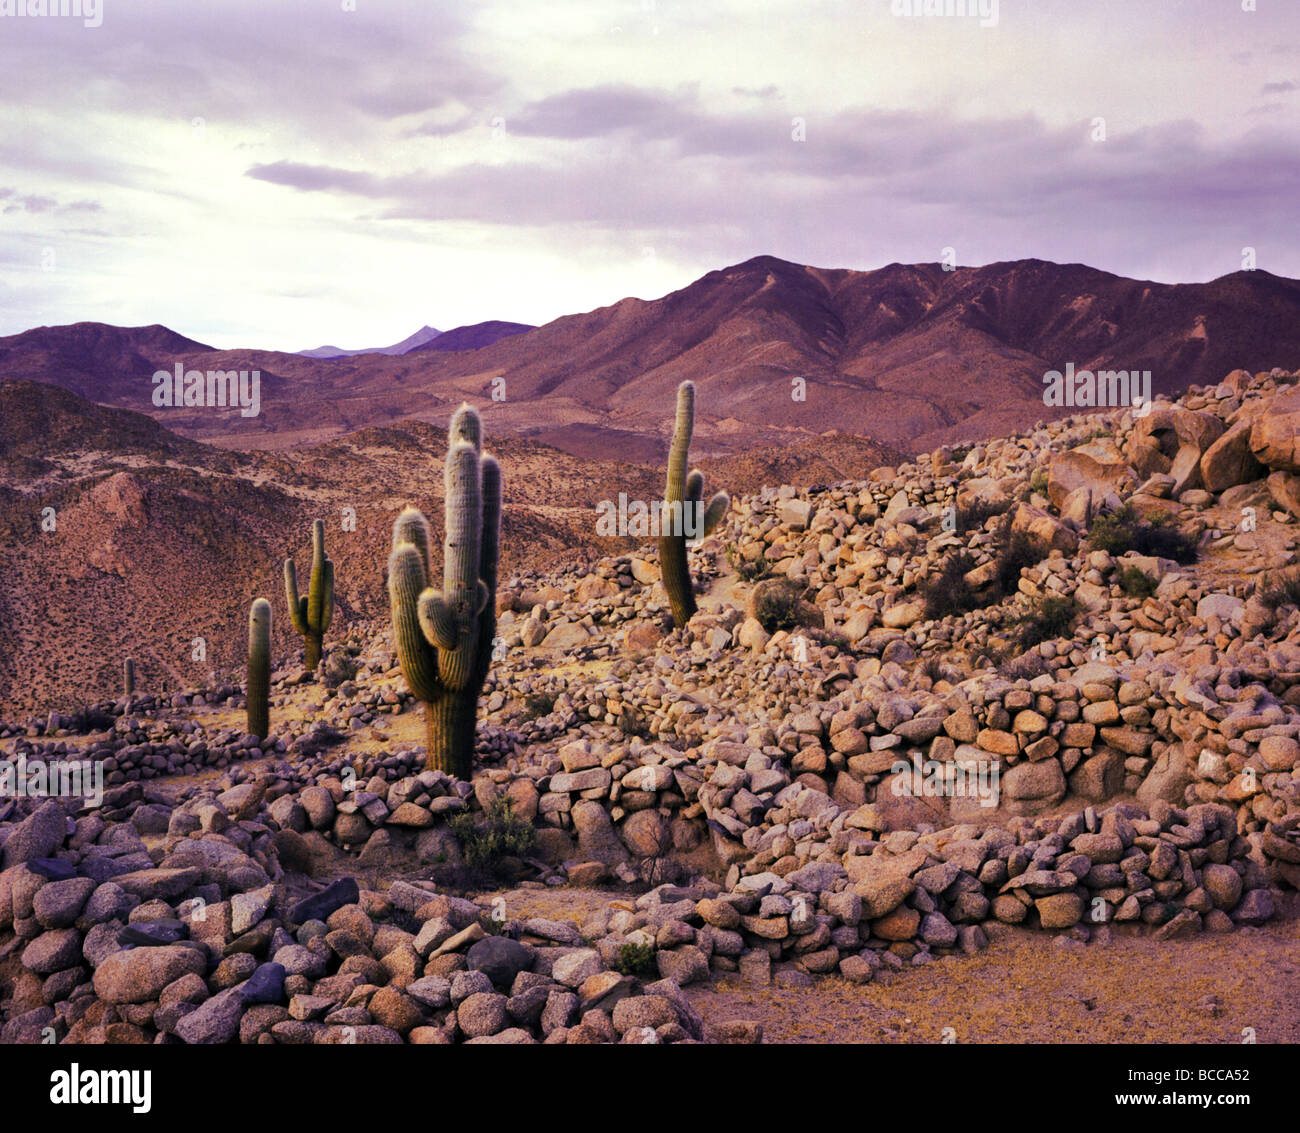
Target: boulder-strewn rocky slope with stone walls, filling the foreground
point(710, 830)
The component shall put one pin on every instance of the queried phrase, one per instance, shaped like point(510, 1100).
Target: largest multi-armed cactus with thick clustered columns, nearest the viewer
point(445, 637)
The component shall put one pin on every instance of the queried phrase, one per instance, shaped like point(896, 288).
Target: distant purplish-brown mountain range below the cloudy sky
point(908, 355)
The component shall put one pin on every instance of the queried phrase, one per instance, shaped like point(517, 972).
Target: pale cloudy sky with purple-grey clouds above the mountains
point(285, 173)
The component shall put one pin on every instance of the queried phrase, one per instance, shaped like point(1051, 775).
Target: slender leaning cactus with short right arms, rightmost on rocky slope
point(683, 514)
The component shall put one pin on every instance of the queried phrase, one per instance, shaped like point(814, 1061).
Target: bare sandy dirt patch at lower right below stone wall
point(1028, 989)
